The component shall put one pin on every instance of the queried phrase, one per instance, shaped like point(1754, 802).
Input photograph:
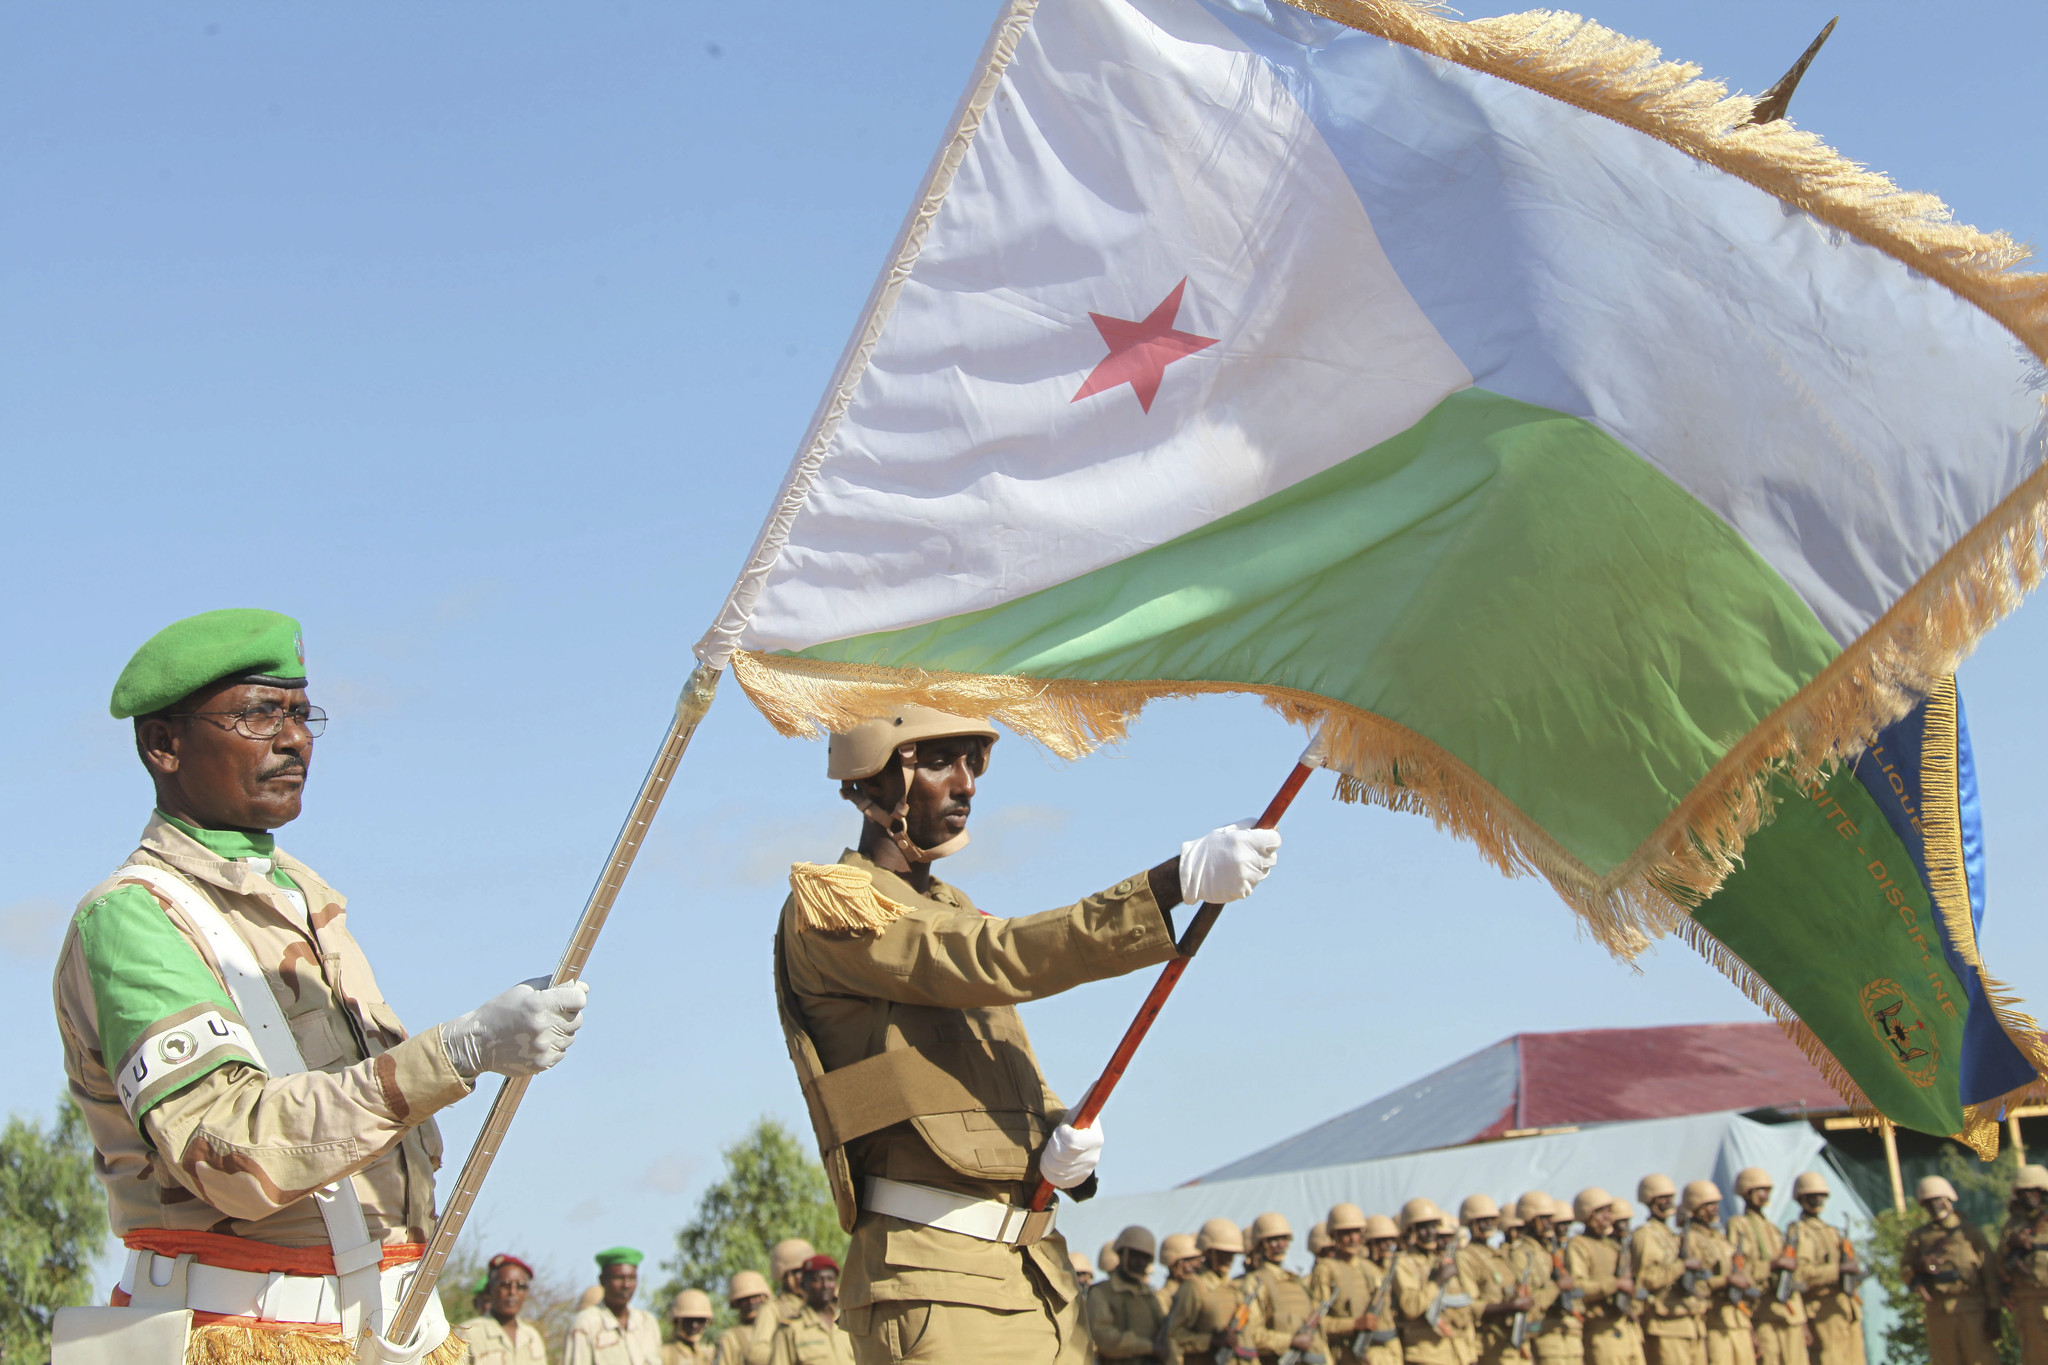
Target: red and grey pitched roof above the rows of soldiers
point(1562, 1082)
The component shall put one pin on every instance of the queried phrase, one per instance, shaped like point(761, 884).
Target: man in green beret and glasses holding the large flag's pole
point(224, 1034)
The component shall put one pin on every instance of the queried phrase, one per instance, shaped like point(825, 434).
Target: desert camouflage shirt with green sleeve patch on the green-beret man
point(210, 1143)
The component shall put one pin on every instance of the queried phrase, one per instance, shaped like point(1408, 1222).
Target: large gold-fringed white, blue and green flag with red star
point(1580, 455)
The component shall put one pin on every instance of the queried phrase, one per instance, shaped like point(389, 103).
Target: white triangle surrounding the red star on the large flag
point(1121, 152)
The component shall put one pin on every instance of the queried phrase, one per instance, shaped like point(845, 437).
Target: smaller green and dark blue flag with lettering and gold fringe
point(1854, 924)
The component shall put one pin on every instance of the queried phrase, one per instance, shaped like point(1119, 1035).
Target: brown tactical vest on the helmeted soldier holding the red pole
point(964, 1080)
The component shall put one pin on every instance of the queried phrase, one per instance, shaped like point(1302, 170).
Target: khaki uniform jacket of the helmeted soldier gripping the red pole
point(945, 979)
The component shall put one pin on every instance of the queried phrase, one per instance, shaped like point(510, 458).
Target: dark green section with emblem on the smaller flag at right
point(1832, 914)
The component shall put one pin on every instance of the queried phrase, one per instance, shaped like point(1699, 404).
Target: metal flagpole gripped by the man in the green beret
point(691, 709)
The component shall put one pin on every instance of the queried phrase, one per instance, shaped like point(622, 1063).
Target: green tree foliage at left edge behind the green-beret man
point(52, 1227)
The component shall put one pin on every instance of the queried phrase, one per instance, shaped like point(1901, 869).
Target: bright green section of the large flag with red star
point(1504, 580)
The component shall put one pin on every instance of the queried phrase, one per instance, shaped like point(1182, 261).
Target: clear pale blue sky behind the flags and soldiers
point(480, 337)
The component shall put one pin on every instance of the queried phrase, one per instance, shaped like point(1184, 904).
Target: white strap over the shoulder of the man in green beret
point(355, 1256)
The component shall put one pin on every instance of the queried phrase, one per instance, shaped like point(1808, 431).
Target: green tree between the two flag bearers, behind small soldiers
point(771, 1190)
